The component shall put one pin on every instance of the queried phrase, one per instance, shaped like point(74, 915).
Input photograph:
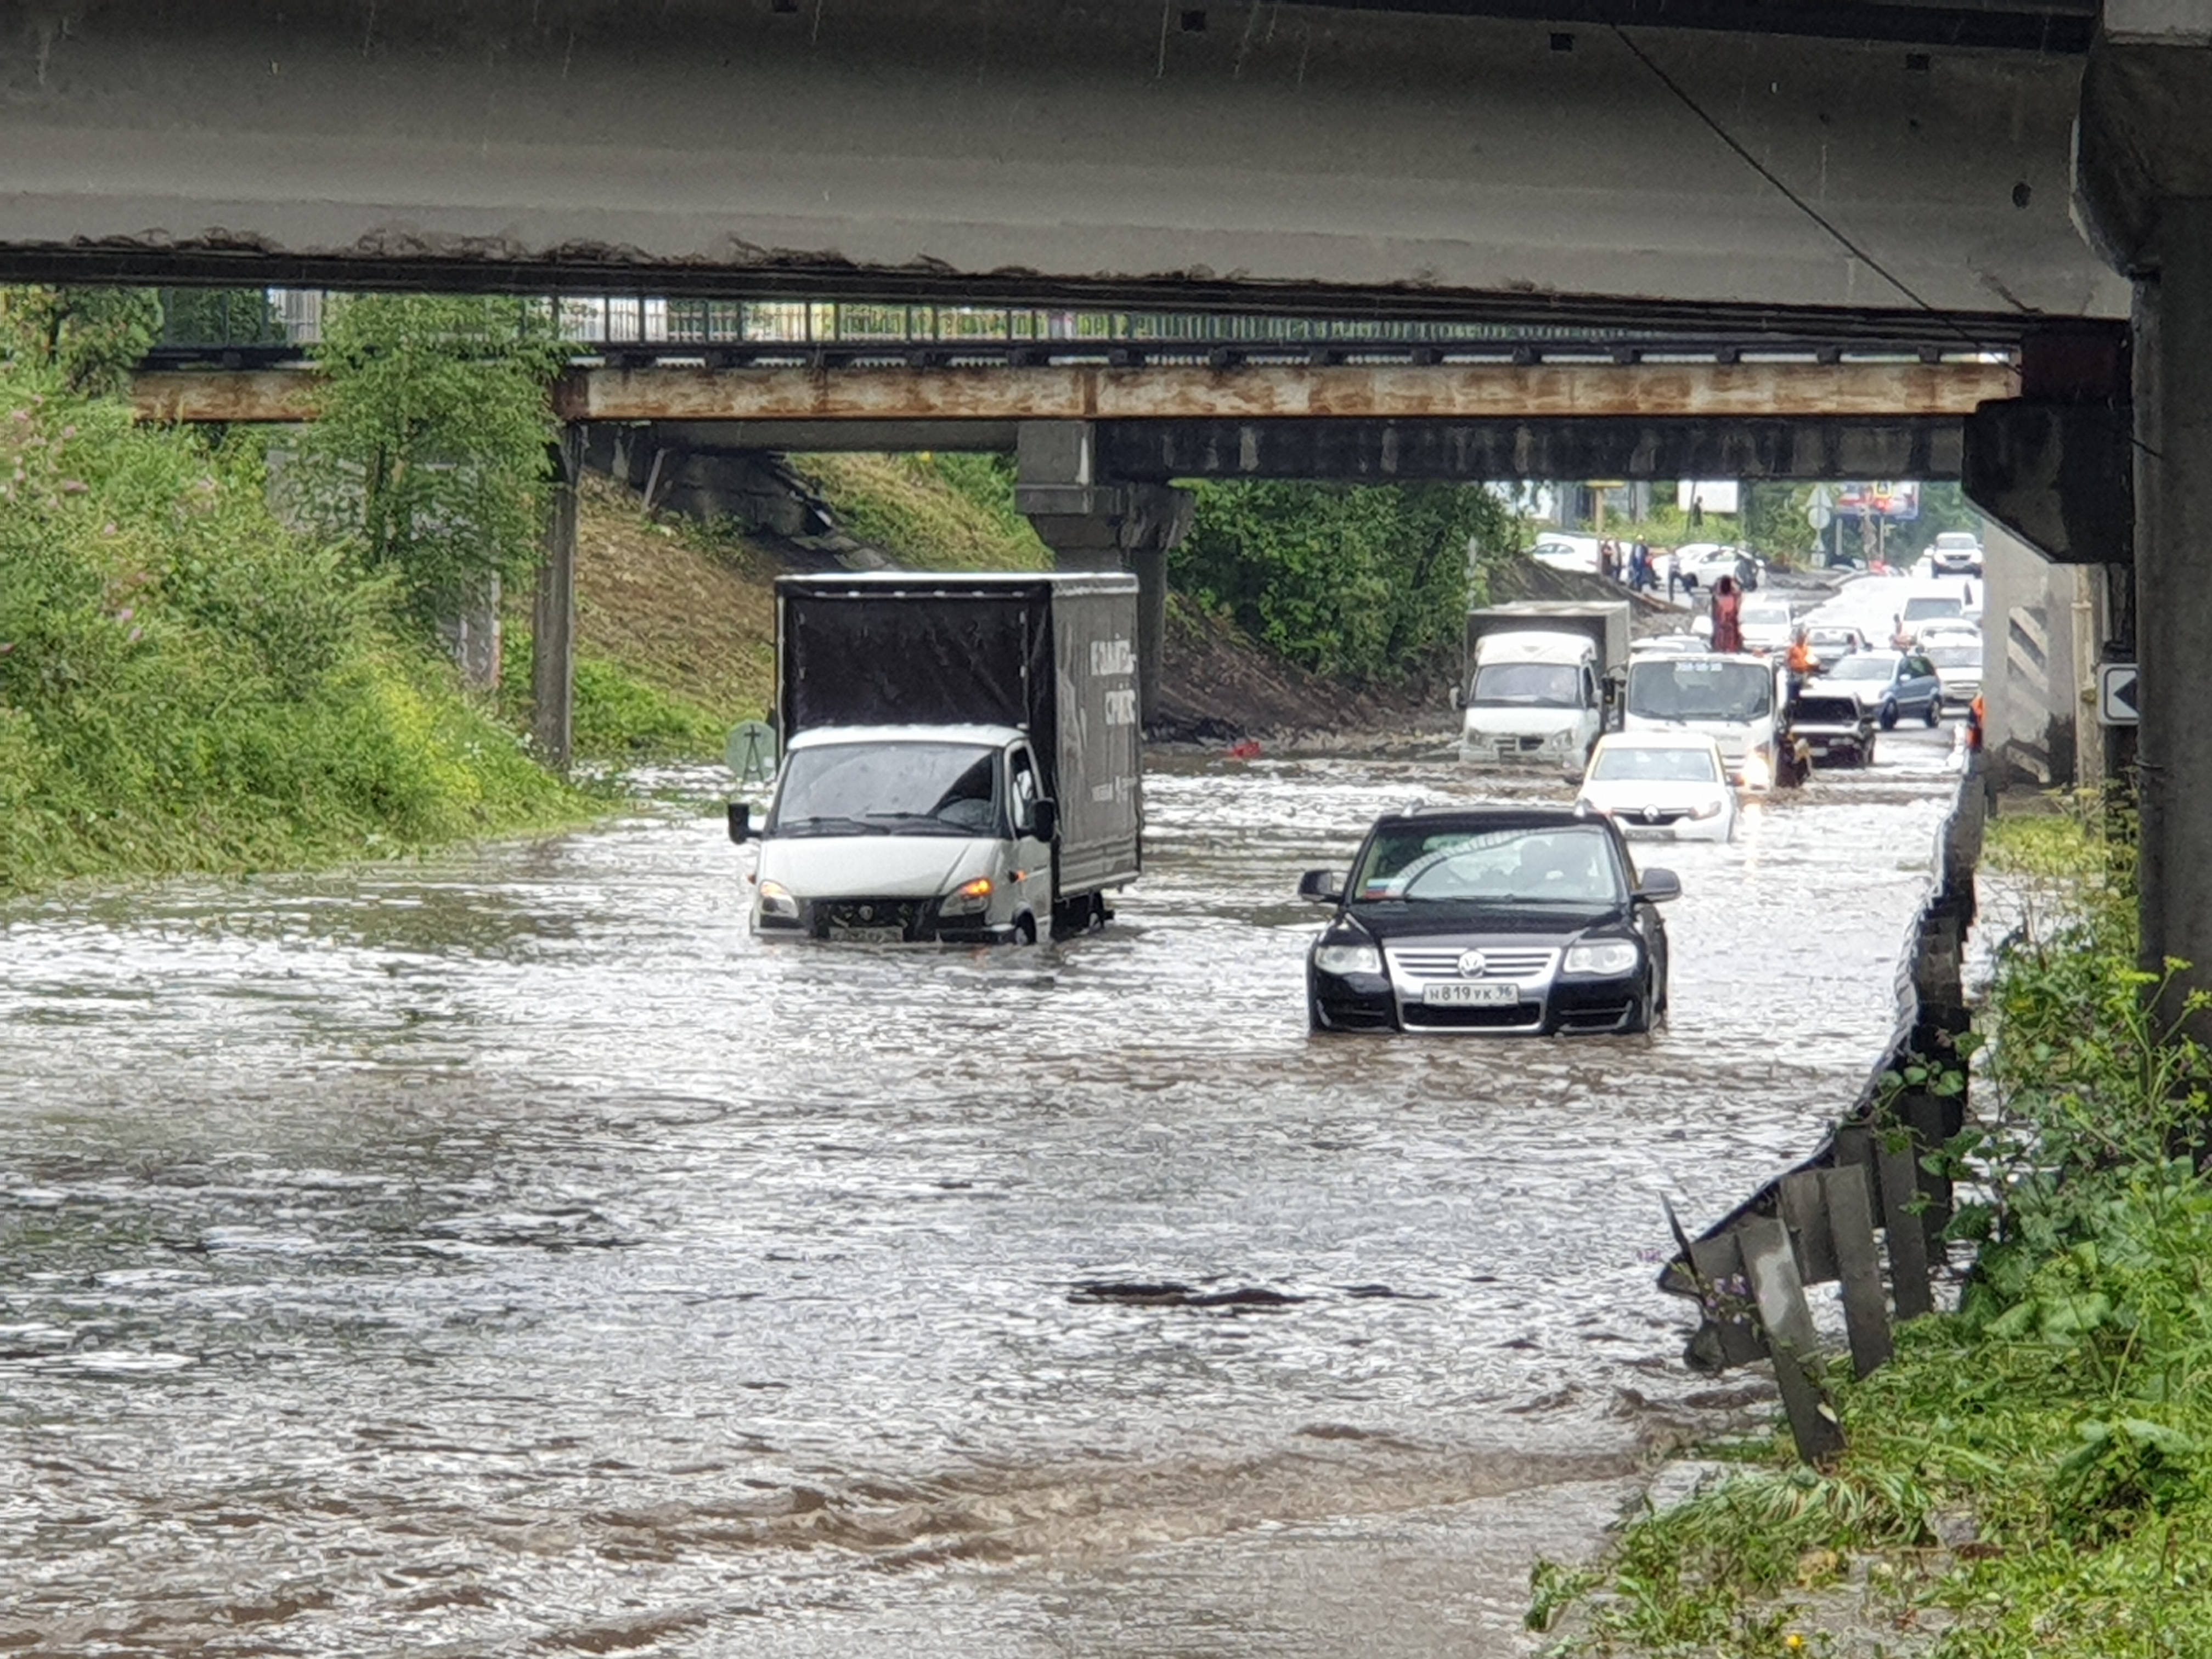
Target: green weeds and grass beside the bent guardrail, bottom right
point(2032, 1474)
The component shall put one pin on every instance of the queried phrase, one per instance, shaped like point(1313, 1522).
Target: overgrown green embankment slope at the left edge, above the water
point(189, 685)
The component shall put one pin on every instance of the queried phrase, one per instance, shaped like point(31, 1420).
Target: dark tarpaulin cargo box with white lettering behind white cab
point(1054, 656)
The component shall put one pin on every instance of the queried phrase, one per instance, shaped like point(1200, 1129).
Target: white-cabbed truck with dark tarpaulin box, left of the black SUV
point(961, 758)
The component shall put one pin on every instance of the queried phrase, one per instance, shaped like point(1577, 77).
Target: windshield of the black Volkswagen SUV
point(1434, 864)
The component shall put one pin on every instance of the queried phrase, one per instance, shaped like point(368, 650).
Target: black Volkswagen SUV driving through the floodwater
point(1490, 919)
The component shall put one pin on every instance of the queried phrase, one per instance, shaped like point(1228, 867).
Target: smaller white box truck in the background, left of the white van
point(1541, 680)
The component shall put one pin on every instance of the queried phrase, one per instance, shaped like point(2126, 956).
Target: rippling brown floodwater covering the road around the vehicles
point(510, 1255)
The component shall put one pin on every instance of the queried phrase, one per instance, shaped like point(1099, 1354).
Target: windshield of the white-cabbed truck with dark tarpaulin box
point(888, 789)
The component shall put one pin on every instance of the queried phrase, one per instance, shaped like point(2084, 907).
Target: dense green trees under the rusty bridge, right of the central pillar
point(1355, 581)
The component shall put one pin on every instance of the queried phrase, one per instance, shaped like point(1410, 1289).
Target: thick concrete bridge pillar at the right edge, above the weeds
point(2145, 200)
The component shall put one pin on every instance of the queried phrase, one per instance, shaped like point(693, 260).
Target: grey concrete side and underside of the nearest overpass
point(1291, 158)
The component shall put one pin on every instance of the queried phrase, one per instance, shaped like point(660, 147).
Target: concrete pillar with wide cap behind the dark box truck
point(1096, 525)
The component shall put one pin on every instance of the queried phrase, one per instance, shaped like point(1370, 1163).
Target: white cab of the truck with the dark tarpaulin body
point(908, 833)
